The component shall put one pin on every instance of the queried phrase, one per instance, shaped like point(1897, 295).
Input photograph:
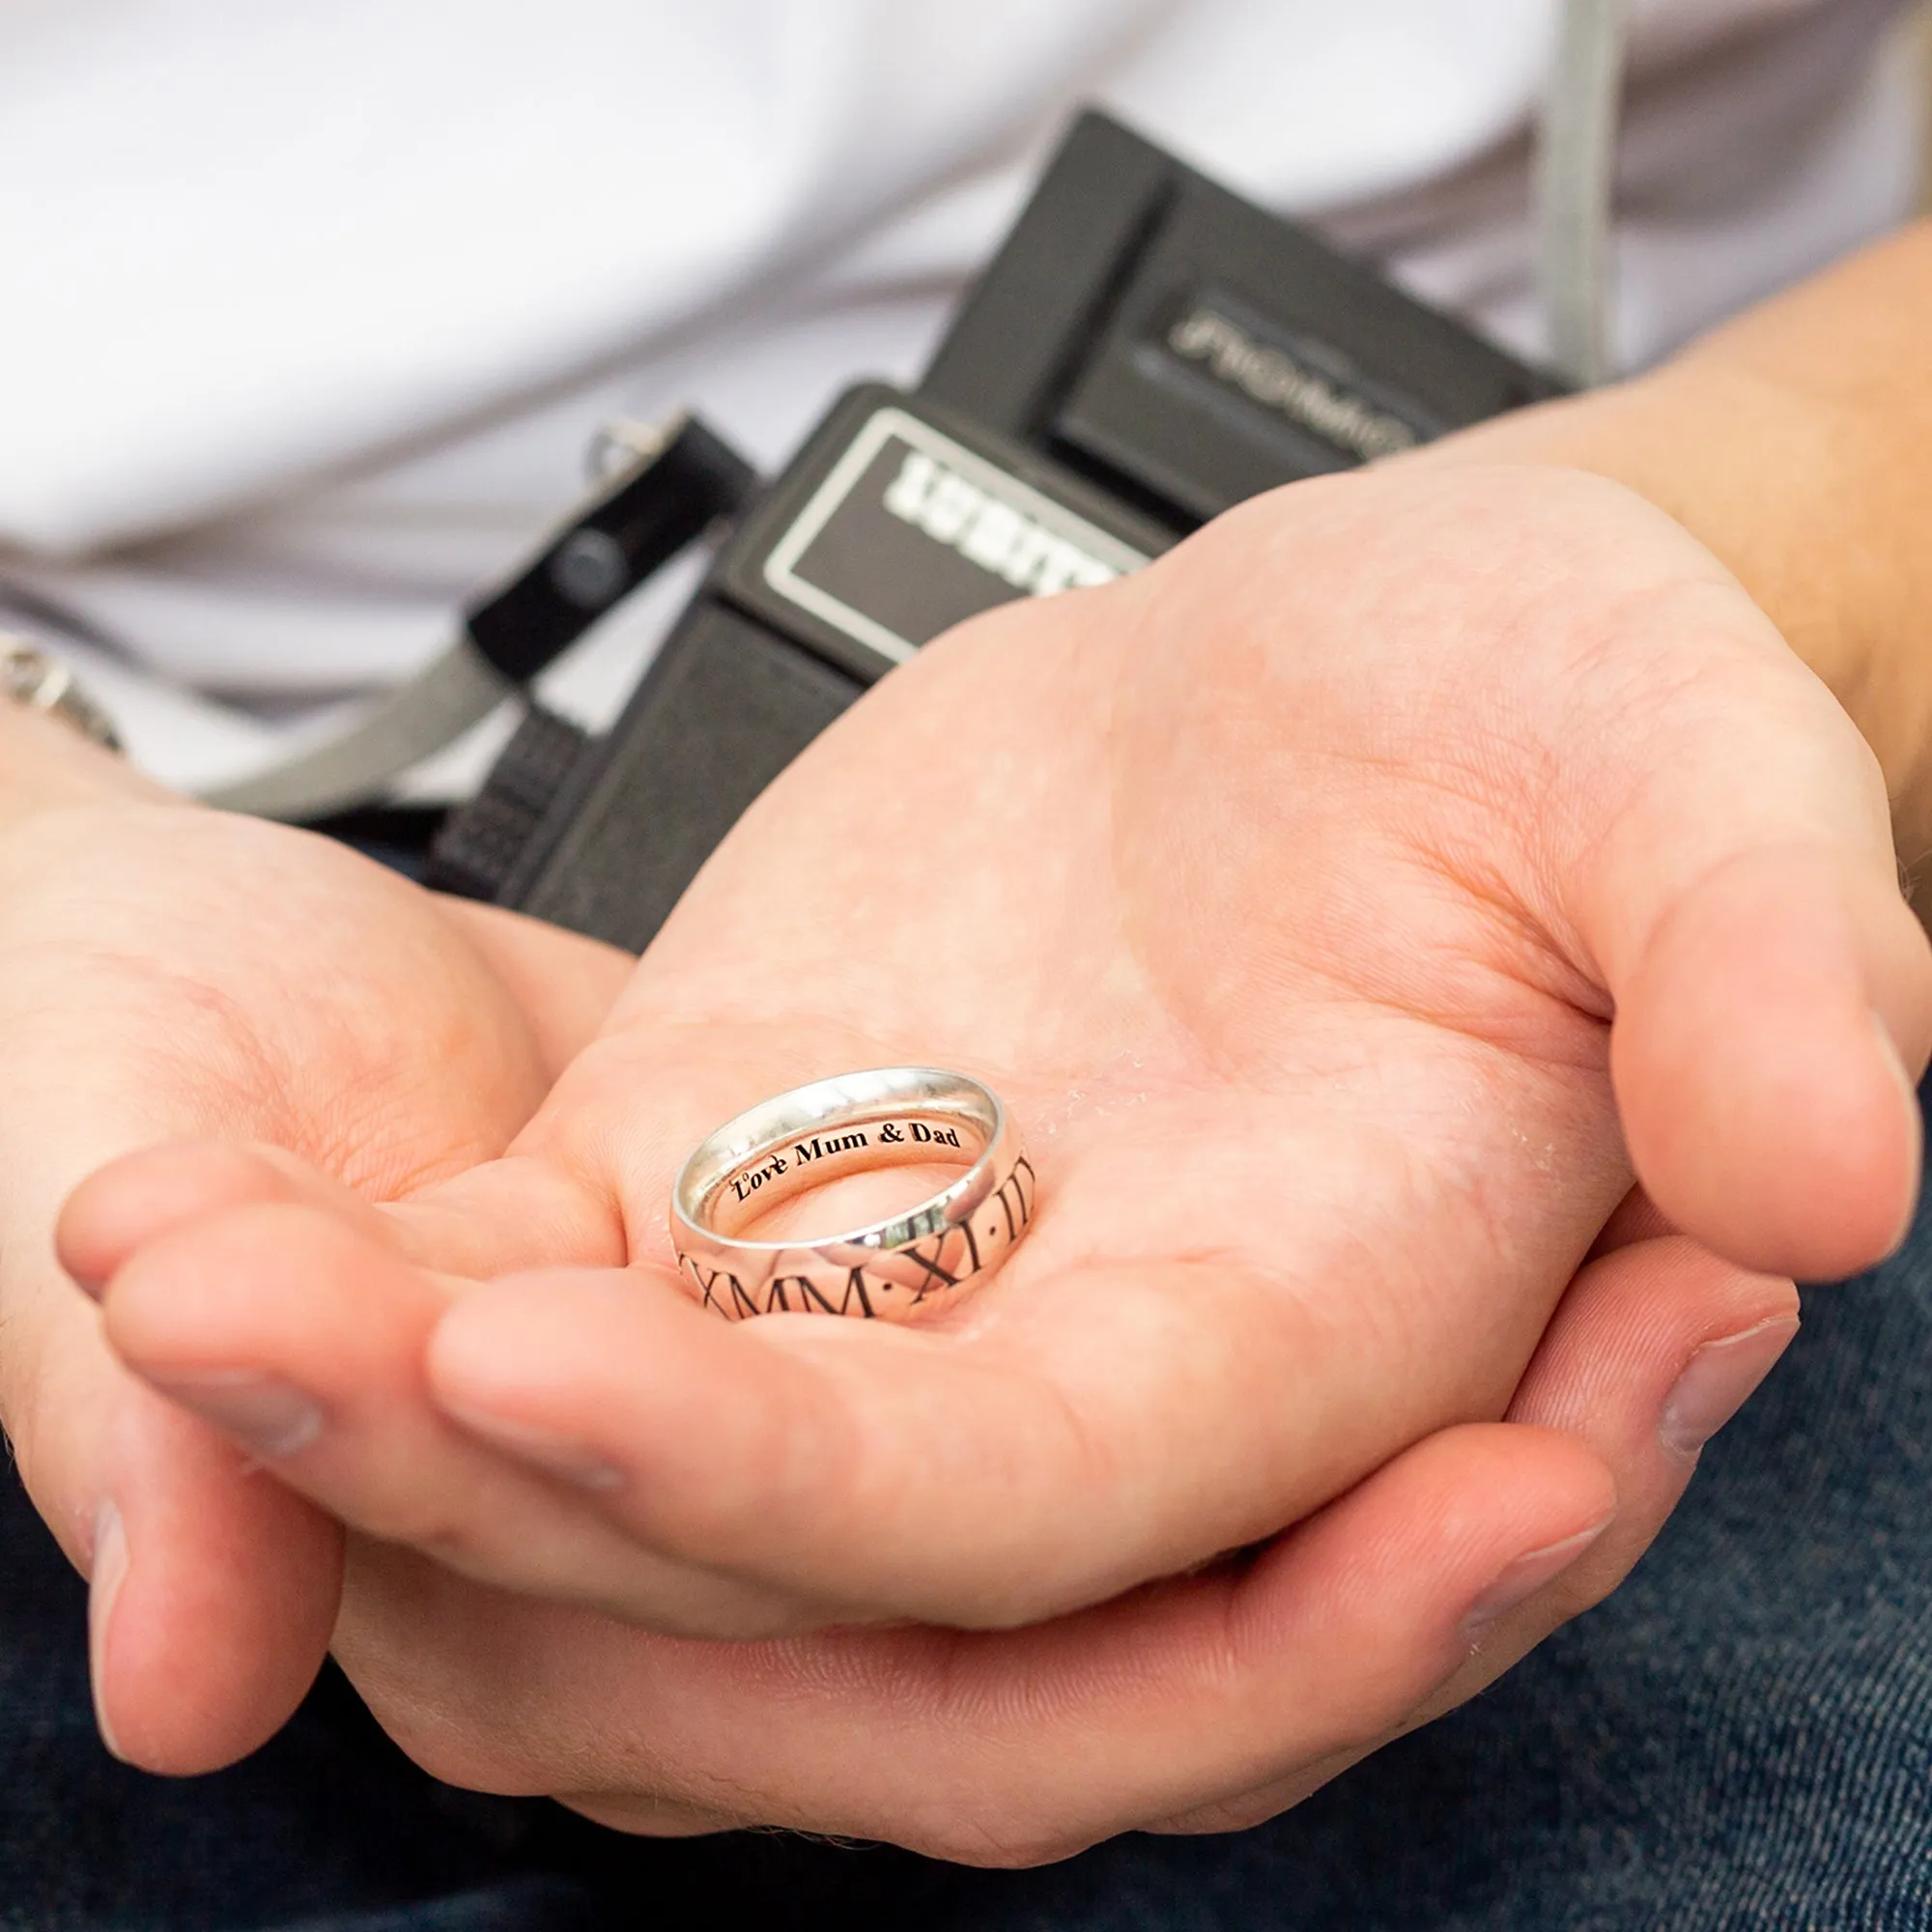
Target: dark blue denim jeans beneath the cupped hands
point(1740, 1738)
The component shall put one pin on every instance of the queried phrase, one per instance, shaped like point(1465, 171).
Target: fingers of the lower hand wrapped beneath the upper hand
point(1197, 1705)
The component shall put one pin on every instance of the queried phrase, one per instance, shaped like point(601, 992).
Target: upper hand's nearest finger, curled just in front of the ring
point(930, 1473)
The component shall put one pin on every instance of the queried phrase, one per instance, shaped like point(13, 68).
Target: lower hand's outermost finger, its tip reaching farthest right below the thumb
point(1651, 1353)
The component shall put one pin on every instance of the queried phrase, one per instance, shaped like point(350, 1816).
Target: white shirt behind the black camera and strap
point(312, 308)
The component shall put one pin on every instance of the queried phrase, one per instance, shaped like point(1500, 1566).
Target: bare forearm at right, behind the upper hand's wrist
point(1798, 445)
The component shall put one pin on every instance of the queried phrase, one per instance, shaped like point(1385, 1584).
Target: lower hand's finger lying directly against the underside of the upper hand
point(996, 1749)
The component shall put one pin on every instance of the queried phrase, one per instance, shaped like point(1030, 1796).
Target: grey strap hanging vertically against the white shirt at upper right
point(1576, 188)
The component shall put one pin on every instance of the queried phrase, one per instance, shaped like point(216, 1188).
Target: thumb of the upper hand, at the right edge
point(1773, 990)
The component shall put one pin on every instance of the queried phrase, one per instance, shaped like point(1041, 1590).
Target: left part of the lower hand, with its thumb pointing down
point(169, 973)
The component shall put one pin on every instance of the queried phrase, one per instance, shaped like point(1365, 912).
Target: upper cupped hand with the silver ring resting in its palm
point(1342, 905)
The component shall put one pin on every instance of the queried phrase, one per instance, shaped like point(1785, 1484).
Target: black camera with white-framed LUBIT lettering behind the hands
point(1145, 353)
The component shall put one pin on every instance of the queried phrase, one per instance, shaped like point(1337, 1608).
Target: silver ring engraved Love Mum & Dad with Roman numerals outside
point(838, 1127)
